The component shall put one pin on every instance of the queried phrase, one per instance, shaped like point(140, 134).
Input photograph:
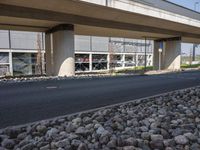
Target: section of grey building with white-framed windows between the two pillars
point(103, 53)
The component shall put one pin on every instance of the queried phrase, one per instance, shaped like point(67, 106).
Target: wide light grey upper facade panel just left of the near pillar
point(26, 40)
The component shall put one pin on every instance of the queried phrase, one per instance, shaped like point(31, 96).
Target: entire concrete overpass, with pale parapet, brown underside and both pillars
point(157, 20)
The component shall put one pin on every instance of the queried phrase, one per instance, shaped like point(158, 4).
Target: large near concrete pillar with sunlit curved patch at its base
point(63, 62)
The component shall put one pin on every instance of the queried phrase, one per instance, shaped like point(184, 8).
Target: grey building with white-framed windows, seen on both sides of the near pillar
point(23, 53)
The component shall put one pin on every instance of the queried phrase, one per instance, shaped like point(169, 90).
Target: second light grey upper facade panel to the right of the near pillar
point(100, 44)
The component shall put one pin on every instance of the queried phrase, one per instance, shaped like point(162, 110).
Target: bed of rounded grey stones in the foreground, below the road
point(166, 122)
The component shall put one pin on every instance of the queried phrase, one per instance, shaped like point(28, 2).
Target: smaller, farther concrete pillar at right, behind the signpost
point(170, 56)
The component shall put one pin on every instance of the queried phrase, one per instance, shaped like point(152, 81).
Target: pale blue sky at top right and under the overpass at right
point(186, 48)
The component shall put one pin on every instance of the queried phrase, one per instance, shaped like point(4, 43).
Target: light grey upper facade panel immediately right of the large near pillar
point(82, 43)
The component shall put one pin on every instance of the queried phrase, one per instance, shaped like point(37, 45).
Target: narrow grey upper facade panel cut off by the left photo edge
point(4, 39)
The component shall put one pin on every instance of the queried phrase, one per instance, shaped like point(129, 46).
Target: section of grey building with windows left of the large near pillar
point(19, 52)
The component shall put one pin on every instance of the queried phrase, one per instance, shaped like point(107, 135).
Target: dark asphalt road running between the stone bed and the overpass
point(27, 102)
